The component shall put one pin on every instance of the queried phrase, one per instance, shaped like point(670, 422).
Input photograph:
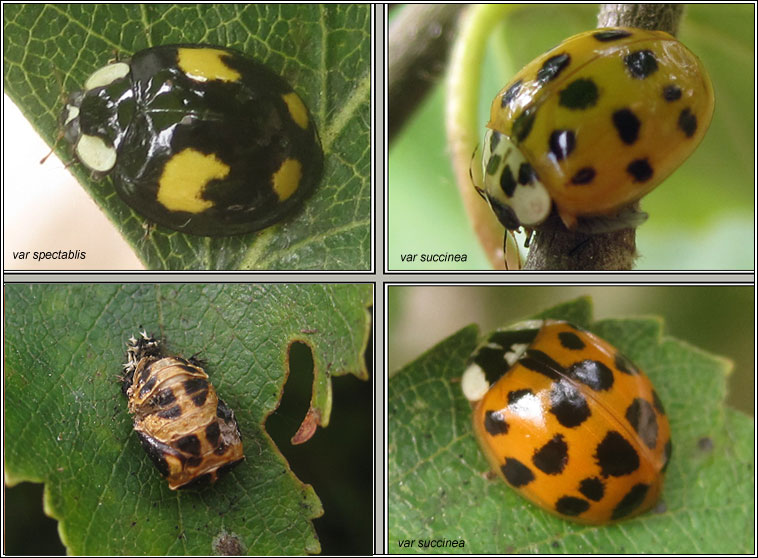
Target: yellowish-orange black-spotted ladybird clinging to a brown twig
point(592, 126)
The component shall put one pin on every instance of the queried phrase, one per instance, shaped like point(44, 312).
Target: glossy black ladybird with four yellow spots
point(200, 139)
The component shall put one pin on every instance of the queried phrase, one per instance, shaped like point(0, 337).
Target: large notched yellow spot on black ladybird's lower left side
point(184, 179)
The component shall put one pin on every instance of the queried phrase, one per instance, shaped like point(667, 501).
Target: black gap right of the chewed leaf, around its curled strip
point(338, 460)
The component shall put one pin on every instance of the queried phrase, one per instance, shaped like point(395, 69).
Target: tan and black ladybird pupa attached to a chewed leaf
point(190, 434)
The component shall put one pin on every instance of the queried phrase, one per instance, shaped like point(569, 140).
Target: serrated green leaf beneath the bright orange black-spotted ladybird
point(437, 484)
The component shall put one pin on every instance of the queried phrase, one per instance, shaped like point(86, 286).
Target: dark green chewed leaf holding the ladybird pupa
point(64, 349)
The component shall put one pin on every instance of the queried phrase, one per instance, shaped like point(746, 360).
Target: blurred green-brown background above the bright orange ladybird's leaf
point(718, 319)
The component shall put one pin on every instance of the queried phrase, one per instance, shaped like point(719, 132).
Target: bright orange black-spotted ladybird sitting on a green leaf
point(568, 421)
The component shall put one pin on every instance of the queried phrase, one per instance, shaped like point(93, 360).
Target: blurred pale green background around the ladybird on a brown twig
point(701, 217)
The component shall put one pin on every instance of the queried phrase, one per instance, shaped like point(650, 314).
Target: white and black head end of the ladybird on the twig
point(511, 186)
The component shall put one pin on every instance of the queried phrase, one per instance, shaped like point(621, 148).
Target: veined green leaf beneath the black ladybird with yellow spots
point(322, 50)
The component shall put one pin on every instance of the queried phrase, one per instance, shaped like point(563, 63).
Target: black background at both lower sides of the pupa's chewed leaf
point(337, 462)
